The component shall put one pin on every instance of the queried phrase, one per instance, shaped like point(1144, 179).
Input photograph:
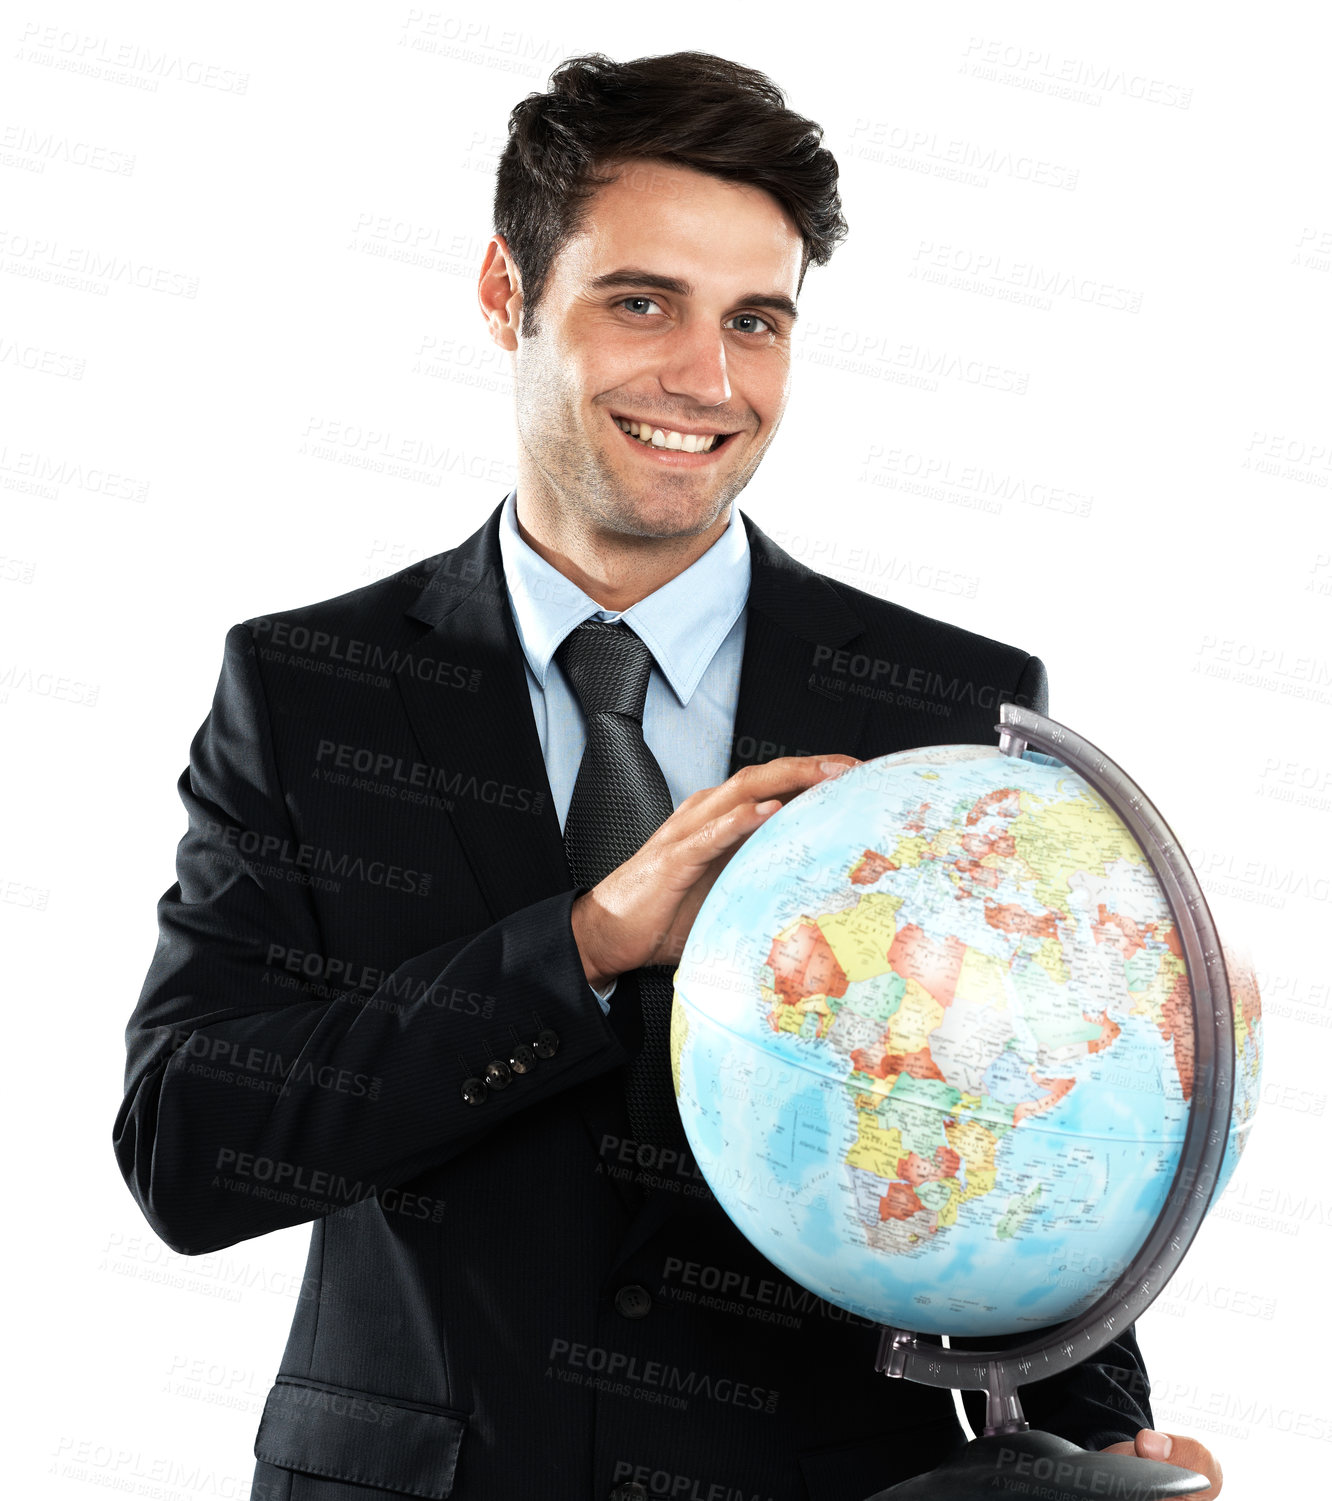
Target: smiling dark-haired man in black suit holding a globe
point(382, 1000)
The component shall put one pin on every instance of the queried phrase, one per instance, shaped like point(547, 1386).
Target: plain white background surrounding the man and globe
point(231, 238)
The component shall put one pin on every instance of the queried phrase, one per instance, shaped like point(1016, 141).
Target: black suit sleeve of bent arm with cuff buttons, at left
point(252, 1105)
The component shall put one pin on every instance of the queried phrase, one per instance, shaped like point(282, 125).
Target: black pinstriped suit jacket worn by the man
point(505, 1299)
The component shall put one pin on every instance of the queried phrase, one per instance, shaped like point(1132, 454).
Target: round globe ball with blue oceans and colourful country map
point(932, 1042)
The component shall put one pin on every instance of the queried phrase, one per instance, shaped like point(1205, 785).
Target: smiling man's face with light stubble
point(710, 355)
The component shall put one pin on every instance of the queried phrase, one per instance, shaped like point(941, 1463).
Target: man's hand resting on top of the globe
point(642, 913)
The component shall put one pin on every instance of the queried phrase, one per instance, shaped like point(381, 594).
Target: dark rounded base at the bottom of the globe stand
point(1038, 1464)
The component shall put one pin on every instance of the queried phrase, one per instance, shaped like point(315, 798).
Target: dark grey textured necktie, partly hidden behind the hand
point(621, 798)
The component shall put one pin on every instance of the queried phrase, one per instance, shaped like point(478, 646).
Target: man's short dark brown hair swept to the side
point(687, 109)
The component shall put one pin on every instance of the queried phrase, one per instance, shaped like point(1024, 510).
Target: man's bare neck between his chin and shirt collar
point(613, 568)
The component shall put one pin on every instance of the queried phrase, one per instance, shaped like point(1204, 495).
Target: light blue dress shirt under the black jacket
point(695, 627)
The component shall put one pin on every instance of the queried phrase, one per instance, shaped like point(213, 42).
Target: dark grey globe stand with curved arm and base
point(1011, 1458)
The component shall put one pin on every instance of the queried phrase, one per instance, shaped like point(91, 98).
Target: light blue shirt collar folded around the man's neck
point(683, 624)
